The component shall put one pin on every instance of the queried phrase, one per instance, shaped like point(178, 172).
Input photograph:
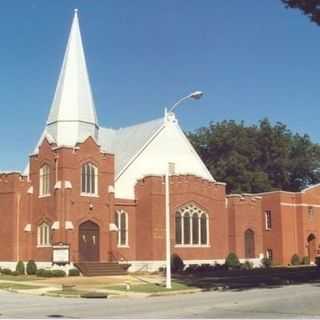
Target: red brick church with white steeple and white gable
point(99, 193)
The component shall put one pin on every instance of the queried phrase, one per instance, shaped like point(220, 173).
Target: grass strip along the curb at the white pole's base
point(150, 287)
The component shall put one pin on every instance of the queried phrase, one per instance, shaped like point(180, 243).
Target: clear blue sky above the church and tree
point(253, 59)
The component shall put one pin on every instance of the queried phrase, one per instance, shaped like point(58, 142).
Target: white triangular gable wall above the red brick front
point(168, 144)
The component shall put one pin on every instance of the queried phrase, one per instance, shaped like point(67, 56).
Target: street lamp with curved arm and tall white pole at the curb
point(169, 171)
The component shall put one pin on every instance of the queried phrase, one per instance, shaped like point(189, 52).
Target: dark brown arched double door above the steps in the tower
point(89, 241)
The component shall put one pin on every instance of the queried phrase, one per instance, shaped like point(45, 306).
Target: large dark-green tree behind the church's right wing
point(258, 158)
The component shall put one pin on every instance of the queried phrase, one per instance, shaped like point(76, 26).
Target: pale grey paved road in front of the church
point(295, 301)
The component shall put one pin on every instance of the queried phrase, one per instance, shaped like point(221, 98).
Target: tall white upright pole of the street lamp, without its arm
point(168, 254)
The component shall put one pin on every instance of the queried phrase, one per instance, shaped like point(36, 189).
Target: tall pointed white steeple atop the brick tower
point(72, 117)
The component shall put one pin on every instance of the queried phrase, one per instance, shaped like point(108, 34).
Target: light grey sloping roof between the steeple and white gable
point(125, 143)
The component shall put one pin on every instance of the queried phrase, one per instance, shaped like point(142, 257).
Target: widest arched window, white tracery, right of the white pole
point(191, 226)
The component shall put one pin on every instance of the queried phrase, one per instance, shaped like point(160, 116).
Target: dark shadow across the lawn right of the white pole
point(239, 280)
